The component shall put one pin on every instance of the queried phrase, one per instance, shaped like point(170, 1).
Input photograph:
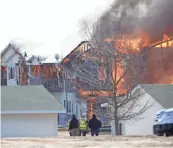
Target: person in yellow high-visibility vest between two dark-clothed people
point(83, 128)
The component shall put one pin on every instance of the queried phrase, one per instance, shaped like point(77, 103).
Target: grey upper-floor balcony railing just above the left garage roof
point(54, 85)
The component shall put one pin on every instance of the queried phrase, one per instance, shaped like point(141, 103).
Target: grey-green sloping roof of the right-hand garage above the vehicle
point(162, 93)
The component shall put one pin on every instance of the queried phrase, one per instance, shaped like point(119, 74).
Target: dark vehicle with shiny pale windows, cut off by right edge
point(164, 123)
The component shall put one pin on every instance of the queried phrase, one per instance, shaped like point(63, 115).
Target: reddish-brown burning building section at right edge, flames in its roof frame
point(159, 64)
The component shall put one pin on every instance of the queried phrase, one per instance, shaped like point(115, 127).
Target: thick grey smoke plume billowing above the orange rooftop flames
point(130, 16)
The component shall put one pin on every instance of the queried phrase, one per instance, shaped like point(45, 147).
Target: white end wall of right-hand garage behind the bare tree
point(143, 126)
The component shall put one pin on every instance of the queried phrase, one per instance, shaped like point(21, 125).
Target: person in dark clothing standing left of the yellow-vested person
point(74, 126)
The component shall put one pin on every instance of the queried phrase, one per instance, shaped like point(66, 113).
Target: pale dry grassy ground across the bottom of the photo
point(103, 141)
